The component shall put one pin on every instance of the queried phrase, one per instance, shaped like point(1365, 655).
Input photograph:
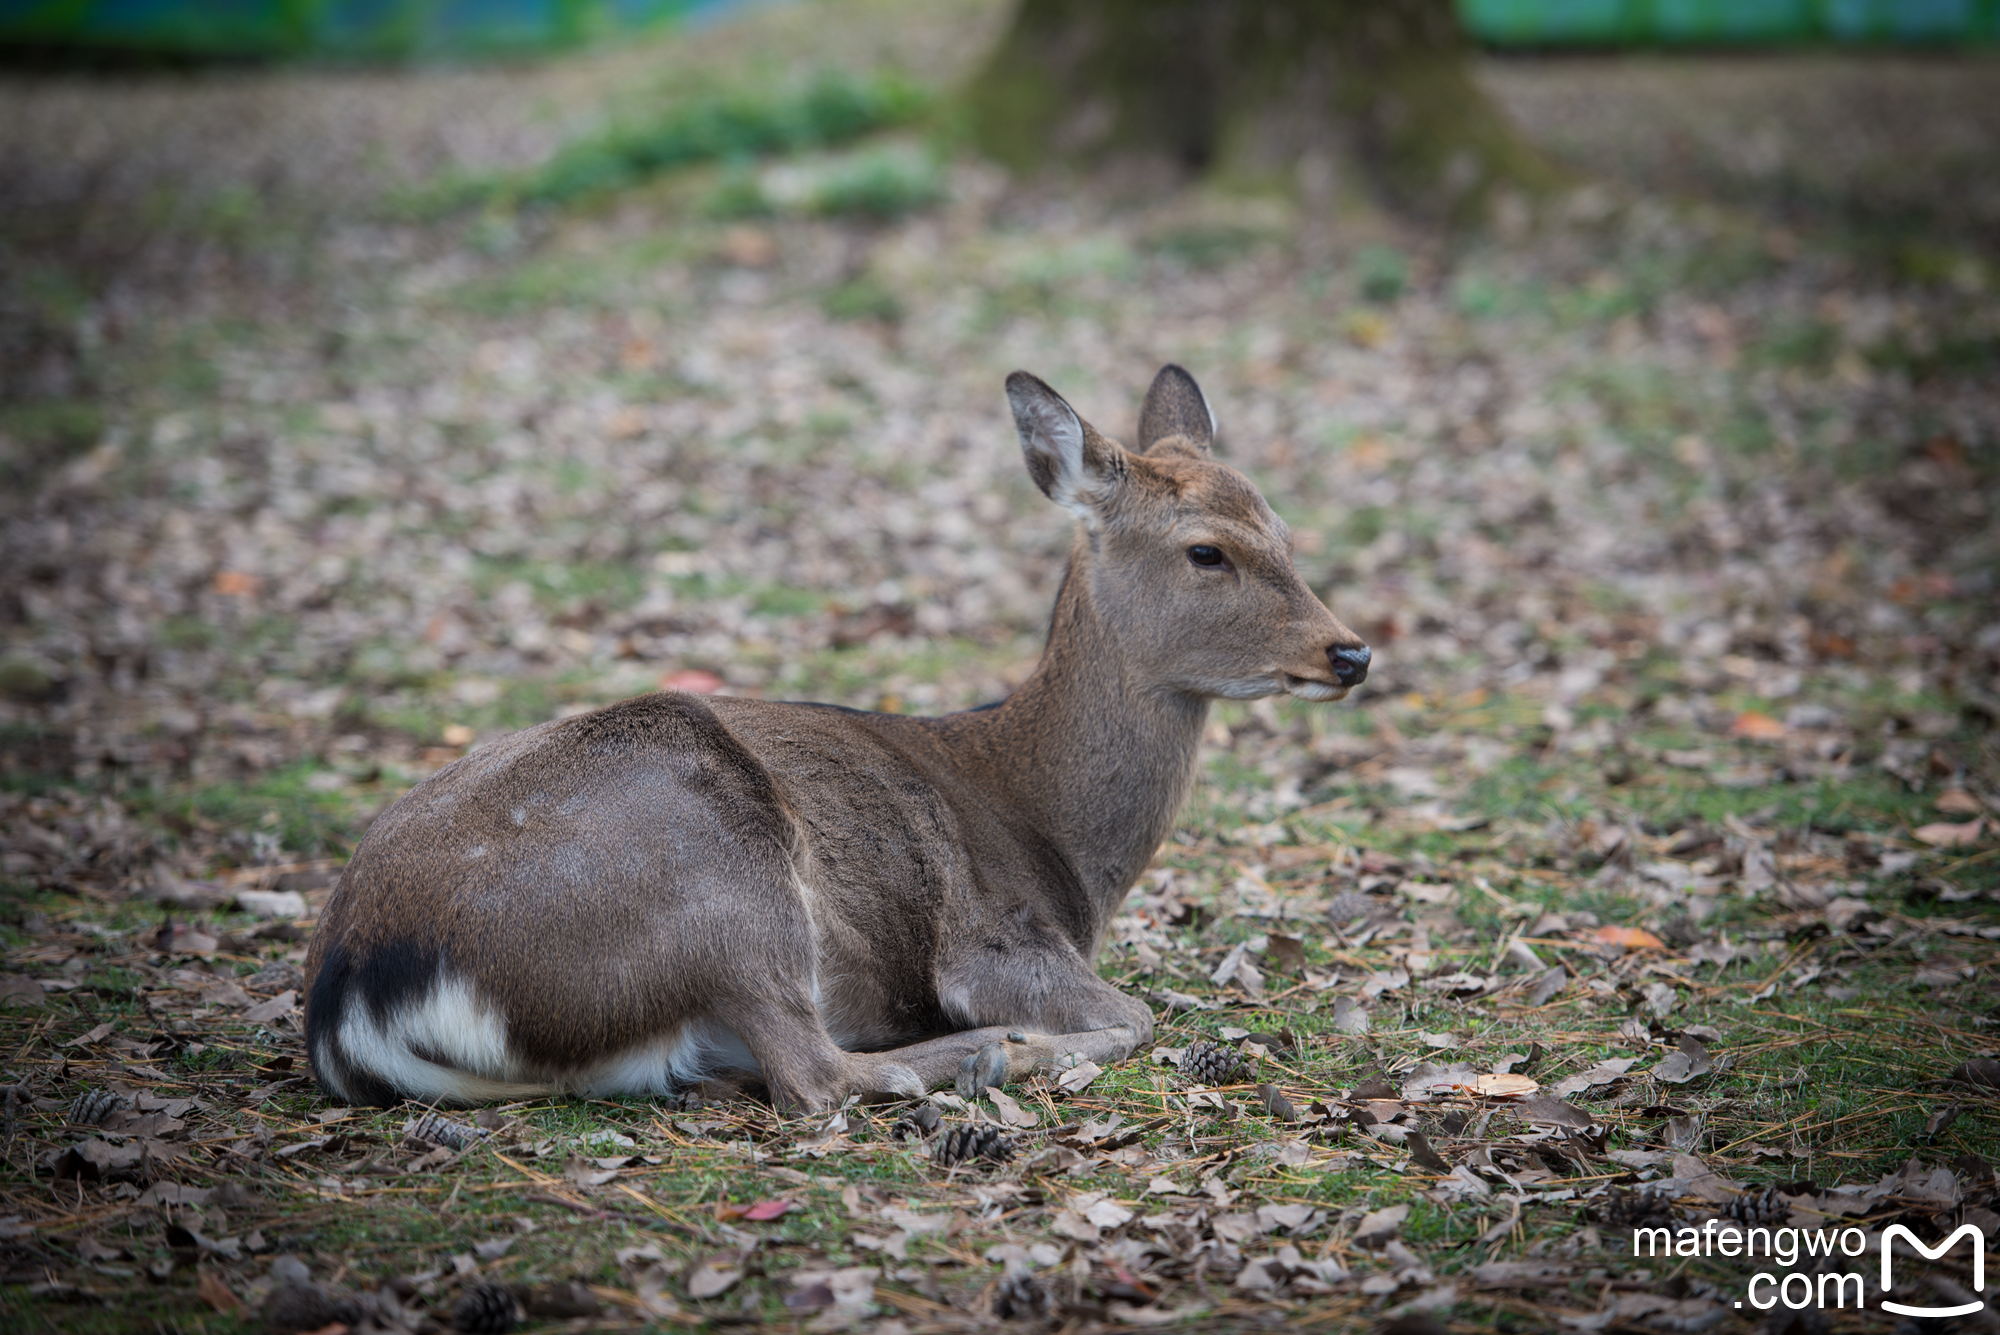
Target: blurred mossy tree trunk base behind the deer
point(1339, 95)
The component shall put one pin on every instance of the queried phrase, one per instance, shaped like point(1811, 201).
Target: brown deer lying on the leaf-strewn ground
point(827, 900)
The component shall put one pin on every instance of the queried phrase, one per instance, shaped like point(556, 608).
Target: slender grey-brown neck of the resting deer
point(1099, 758)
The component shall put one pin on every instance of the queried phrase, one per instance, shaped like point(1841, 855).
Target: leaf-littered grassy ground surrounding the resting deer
point(353, 419)
